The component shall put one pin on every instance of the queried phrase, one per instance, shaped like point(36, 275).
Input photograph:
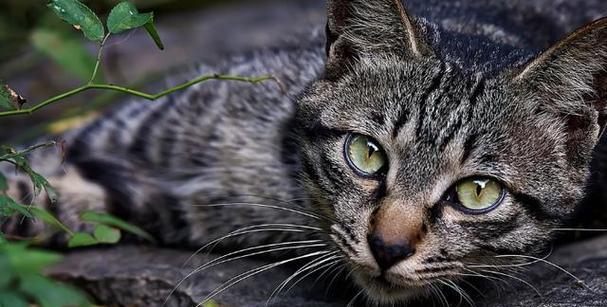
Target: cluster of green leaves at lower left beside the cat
point(21, 267)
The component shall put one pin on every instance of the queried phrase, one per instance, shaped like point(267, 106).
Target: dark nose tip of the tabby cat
point(388, 254)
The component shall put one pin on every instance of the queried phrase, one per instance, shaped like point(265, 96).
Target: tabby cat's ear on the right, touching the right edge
point(569, 80)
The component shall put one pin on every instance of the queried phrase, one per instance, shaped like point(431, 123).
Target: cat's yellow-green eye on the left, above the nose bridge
point(365, 155)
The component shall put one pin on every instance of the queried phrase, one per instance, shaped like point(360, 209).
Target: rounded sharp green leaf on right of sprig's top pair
point(125, 16)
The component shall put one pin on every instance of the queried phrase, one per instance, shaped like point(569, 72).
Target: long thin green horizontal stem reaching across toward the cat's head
point(117, 88)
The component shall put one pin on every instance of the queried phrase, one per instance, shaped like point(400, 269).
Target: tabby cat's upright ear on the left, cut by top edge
point(357, 28)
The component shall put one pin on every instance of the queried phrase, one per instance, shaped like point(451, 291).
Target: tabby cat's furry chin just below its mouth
point(384, 291)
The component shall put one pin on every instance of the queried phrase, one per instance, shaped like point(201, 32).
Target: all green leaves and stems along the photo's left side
point(21, 280)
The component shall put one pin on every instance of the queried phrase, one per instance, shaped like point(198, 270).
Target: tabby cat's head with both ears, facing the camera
point(430, 172)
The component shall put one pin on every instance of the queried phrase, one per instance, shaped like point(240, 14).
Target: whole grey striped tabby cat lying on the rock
point(415, 150)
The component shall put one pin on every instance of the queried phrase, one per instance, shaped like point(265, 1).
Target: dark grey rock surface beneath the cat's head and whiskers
point(145, 276)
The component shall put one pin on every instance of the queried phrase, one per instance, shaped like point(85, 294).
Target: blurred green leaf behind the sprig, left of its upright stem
point(66, 50)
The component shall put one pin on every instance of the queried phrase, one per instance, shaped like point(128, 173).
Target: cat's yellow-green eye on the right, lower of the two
point(479, 195)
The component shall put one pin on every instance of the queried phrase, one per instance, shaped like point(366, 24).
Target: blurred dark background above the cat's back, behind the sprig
point(40, 56)
